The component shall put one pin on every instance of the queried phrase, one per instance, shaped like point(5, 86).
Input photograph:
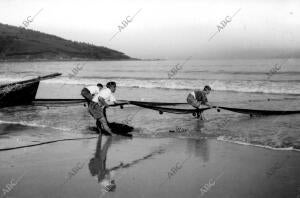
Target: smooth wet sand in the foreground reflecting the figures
point(149, 167)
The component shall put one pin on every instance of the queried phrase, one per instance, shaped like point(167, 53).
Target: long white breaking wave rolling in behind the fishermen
point(272, 87)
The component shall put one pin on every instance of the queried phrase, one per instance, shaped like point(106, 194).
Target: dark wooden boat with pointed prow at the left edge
point(22, 92)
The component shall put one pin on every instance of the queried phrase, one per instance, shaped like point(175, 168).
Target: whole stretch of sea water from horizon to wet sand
point(135, 79)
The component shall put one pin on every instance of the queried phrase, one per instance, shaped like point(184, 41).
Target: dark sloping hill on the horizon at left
point(18, 43)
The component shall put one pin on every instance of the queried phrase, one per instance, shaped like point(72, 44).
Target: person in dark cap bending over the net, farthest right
point(198, 98)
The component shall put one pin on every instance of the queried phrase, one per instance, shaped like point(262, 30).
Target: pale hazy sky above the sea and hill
point(169, 29)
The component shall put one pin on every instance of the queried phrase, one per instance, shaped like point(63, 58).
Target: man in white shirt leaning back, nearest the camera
point(98, 104)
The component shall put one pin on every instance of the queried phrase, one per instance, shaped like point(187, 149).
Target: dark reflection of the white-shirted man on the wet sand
point(97, 164)
